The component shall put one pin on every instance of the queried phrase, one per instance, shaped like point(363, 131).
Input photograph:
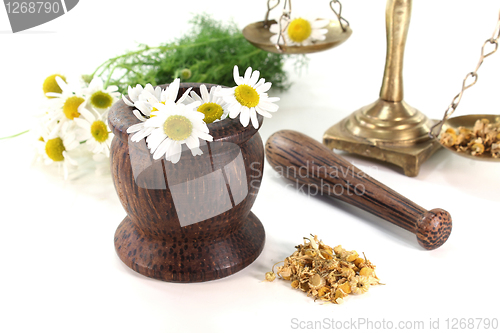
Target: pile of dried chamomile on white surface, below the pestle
point(326, 273)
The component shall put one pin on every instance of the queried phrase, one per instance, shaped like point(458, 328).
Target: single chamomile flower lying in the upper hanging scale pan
point(300, 31)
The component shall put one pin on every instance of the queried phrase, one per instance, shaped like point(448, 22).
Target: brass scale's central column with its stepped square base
point(389, 129)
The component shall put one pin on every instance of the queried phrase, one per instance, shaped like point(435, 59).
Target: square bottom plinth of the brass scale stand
point(410, 157)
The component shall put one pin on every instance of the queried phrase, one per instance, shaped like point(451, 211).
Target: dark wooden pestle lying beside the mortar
point(309, 163)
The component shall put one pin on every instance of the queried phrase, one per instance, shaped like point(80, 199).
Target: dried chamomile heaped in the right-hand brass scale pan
point(483, 139)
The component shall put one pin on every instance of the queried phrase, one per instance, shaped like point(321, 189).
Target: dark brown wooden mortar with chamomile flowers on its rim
point(189, 221)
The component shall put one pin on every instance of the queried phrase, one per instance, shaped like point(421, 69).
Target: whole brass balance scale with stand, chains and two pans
point(388, 129)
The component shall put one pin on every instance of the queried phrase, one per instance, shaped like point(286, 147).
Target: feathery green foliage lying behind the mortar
point(209, 50)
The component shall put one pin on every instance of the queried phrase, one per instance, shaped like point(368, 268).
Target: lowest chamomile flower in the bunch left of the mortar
point(58, 149)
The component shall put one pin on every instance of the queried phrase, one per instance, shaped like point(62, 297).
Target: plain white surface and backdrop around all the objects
point(59, 270)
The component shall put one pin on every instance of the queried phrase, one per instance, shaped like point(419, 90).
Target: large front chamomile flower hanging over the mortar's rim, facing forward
point(174, 125)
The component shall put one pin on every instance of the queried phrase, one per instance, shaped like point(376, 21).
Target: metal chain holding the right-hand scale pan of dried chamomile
point(470, 79)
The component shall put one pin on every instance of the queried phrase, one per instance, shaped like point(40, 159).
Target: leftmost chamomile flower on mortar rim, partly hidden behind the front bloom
point(145, 106)
